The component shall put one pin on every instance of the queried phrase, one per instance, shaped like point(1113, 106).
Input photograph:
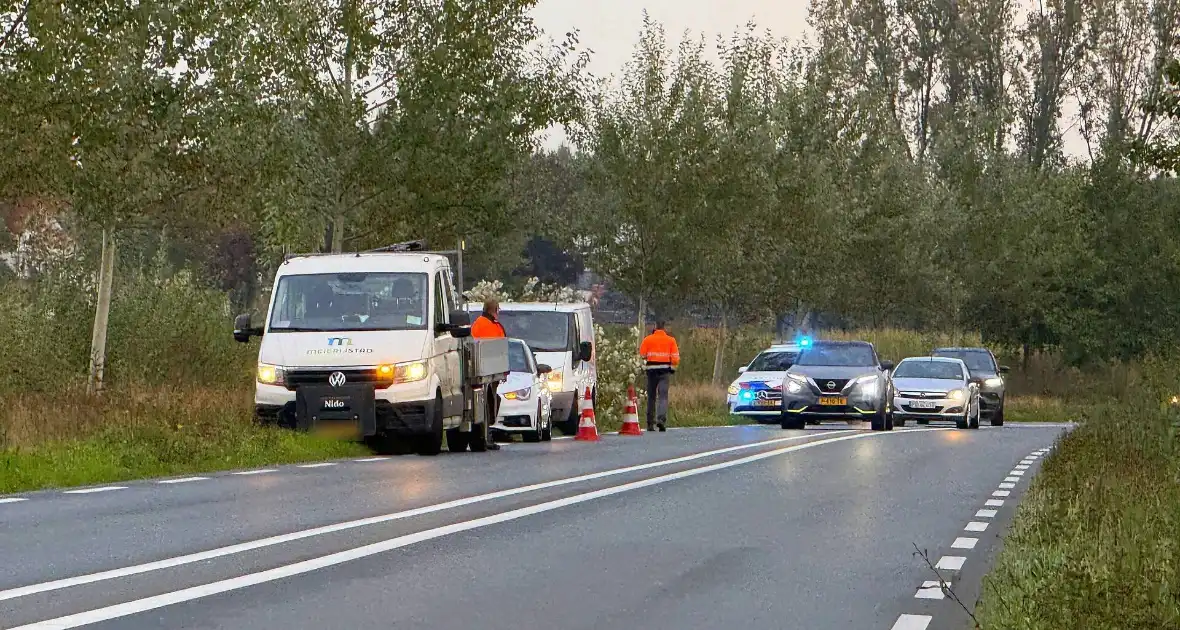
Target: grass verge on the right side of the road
point(1097, 540)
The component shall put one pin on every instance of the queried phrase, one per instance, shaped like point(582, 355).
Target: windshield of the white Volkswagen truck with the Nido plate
point(350, 301)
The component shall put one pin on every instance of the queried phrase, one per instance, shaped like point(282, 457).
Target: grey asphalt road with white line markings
point(692, 529)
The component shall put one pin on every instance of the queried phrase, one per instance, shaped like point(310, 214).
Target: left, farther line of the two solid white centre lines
point(65, 583)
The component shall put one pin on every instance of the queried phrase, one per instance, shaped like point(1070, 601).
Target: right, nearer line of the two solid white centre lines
point(206, 590)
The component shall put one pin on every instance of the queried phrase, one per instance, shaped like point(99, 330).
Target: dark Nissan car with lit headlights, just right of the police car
point(836, 380)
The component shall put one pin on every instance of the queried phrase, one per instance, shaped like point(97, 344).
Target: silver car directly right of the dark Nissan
point(934, 389)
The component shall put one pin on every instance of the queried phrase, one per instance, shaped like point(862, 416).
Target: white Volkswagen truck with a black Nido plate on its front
point(371, 343)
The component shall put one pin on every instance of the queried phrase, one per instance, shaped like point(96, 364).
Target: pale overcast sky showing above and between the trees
point(611, 29)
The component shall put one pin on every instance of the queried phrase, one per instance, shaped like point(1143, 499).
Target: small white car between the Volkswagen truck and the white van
point(526, 399)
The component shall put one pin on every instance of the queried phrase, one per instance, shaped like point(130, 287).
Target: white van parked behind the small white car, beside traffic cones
point(562, 337)
